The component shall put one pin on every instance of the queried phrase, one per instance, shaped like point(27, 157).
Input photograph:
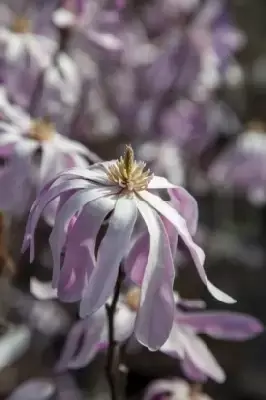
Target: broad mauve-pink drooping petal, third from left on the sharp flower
point(79, 259)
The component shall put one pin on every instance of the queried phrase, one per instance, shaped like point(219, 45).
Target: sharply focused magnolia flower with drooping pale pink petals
point(122, 190)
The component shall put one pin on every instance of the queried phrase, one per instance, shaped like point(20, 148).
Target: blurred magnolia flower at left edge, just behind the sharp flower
point(33, 153)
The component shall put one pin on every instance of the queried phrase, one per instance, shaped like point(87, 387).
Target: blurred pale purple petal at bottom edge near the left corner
point(41, 389)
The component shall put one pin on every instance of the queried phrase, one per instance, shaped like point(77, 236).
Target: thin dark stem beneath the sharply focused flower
point(112, 362)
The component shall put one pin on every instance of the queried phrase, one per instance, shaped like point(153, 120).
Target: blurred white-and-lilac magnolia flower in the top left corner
point(24, 54)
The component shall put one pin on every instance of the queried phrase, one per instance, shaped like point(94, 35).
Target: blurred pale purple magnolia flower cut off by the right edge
point(242, 166)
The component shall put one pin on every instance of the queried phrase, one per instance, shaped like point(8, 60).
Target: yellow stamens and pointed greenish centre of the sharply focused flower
point(128, 173)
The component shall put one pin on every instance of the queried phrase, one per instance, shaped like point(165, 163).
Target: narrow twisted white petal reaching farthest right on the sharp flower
point(196, 252)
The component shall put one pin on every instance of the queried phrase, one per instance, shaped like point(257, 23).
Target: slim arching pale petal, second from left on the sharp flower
point(69, 209)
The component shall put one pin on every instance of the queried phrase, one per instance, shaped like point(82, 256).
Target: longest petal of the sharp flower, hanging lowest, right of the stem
point(157, 304)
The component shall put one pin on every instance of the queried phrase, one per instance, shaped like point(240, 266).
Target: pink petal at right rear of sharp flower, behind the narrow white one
point(187, 206)
